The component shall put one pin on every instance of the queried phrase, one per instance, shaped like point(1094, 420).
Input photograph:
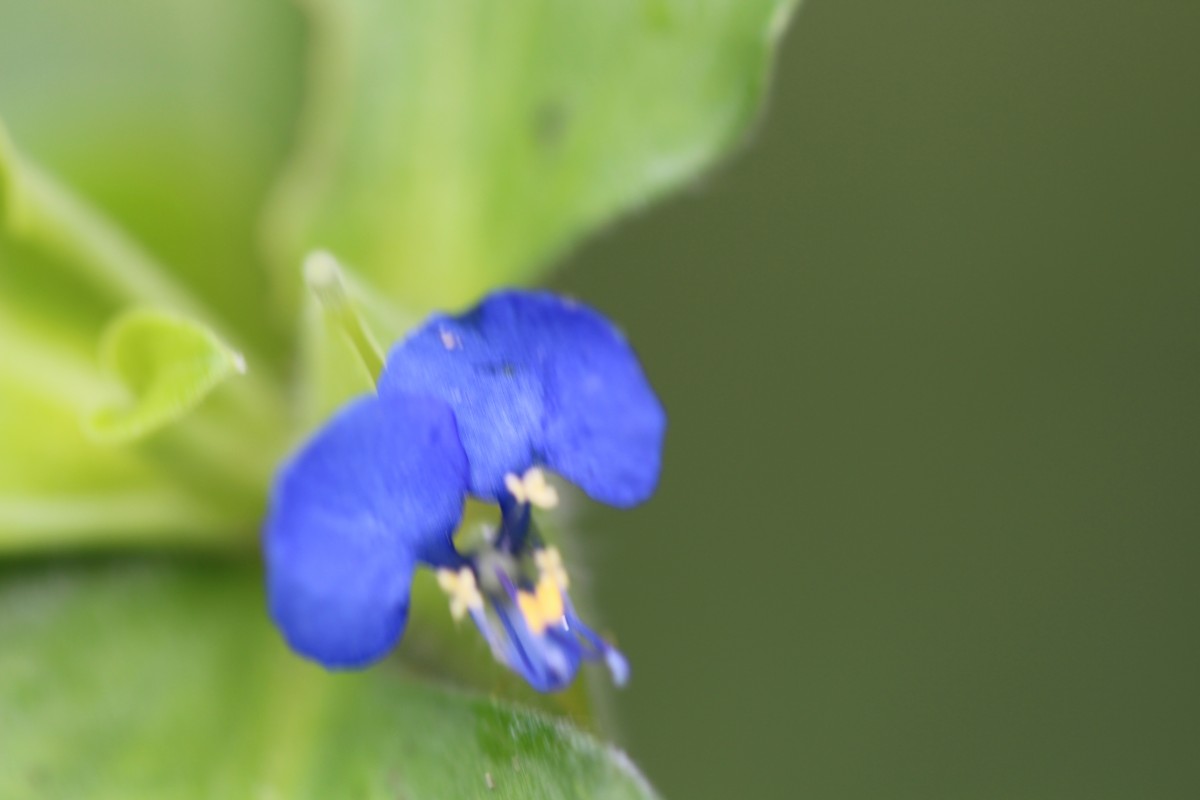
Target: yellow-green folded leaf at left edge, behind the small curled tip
point(65, 269)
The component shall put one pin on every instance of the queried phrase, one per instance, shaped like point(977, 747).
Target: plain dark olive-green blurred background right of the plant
point(928, 526)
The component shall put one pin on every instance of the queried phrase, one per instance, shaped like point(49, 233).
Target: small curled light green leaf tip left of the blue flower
point(167, 366)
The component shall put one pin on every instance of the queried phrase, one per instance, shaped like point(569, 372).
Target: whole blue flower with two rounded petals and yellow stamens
point(479, 406)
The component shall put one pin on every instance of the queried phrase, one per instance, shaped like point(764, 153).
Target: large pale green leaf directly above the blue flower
point(449, 146)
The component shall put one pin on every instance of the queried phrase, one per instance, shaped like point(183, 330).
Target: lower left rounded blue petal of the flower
point(380, 489)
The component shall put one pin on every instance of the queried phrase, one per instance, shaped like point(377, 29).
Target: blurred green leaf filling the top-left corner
point(173, 117)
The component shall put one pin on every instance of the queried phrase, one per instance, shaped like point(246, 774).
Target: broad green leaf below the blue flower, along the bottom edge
point(165, 682)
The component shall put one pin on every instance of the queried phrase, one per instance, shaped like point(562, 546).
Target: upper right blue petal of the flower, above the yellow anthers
point(536, 378)
